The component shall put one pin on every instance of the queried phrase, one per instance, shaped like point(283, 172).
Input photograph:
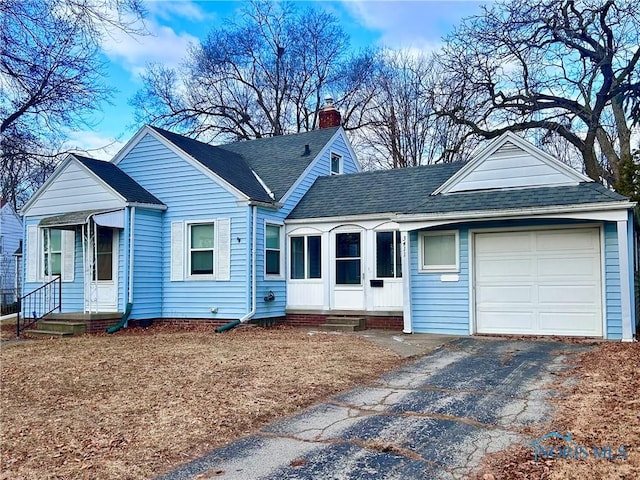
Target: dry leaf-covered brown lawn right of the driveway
point(602, 409)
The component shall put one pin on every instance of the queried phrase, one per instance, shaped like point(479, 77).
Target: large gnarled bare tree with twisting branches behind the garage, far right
point(560, 66)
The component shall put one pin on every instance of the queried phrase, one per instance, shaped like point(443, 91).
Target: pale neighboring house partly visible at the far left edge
point(10, 238)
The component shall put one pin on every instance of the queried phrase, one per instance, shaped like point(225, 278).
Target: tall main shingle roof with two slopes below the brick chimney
point(279, 161)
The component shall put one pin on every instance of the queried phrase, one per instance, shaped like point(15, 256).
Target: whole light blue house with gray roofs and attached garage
point(512, 242)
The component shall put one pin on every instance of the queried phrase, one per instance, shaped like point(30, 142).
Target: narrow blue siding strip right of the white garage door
point(612, 281)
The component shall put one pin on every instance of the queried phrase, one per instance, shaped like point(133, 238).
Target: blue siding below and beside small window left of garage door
point(436, 306)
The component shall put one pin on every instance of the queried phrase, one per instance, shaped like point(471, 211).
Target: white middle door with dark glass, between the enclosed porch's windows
point(348, 290)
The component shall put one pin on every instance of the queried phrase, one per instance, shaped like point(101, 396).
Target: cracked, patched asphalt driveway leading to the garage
point(434, 418)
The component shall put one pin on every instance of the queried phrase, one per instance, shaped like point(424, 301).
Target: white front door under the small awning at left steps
point(103, 291)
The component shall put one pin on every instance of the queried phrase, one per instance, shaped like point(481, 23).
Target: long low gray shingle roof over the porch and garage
point(408, 190)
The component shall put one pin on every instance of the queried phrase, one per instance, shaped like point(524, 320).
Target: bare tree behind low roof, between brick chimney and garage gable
point(401, 128)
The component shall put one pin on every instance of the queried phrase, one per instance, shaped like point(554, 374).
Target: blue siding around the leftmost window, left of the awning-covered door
point(72, 292)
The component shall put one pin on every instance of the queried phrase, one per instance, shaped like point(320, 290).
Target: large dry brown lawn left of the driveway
point(135, 404)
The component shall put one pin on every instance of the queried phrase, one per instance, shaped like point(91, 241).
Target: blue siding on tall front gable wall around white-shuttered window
point(192, 195)
